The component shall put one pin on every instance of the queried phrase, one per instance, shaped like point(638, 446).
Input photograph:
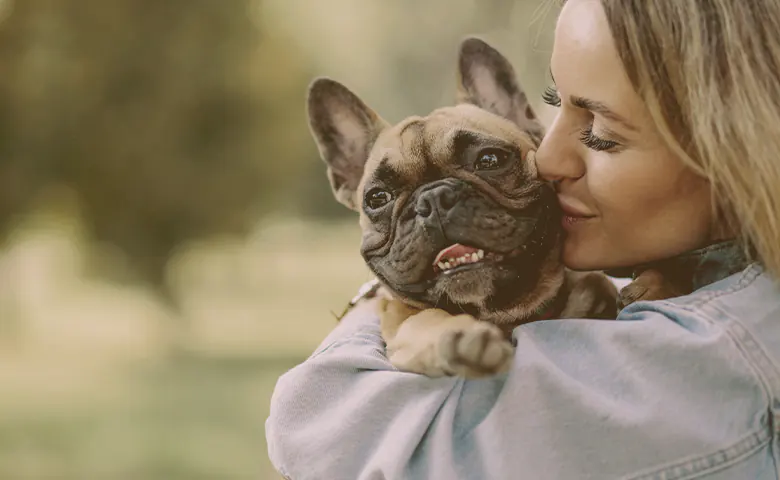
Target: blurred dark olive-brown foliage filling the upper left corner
point(170, 119)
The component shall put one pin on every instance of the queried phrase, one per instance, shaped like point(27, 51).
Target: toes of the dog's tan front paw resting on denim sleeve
point(474, 351)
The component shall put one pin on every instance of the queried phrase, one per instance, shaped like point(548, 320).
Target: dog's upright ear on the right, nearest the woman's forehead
point(486, 79)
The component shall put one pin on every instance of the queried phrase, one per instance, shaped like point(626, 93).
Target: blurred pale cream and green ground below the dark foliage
point(88, 391)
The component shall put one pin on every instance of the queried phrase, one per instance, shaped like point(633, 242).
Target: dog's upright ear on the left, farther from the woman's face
point(345, 130)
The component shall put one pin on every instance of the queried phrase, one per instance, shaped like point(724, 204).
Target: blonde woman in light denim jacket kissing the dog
point(665, 148)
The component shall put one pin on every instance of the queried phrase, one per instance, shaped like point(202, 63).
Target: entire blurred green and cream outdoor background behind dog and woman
point(168, 240)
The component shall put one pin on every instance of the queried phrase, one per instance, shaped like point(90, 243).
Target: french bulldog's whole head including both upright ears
point(451, 209)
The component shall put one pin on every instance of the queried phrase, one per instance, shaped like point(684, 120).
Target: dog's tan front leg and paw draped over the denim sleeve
point(435, 343)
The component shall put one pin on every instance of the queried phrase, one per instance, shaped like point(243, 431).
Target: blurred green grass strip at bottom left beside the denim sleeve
point(196, 417)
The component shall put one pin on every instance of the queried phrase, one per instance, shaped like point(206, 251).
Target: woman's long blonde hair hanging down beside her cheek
point(709, 72)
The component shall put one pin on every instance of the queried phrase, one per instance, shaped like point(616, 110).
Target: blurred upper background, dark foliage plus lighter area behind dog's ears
point(168, 122)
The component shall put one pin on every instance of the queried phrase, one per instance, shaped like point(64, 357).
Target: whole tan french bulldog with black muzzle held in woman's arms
point(463, 237)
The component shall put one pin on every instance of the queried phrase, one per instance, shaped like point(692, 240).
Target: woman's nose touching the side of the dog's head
point(558, 156)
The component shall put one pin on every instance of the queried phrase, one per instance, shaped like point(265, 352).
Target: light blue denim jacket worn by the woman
point(687, 388)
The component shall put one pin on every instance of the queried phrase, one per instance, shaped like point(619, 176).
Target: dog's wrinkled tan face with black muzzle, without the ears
point(452, 212)
